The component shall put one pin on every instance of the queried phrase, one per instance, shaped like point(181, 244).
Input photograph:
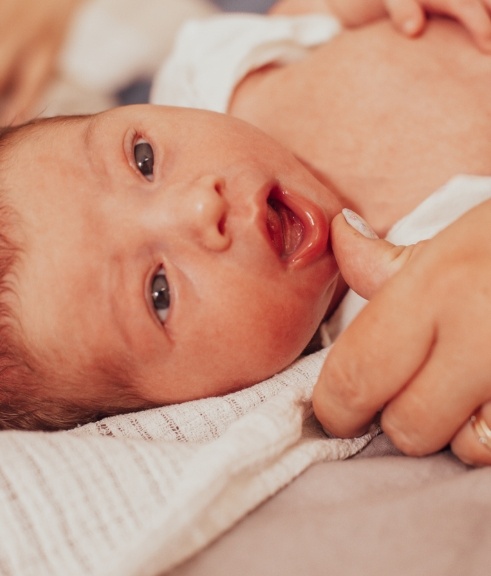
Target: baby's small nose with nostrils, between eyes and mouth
point(207, 212)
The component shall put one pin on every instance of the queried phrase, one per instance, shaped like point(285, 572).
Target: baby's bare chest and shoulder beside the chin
point(379, 118)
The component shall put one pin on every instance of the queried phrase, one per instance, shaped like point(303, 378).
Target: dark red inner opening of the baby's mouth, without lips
point(285, 228)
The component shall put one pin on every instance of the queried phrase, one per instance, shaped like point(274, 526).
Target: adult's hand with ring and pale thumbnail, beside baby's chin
point(420, 350)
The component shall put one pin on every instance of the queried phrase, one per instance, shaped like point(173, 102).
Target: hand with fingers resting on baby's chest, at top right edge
point(408, 16)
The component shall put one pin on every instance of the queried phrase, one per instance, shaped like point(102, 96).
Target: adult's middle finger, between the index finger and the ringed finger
point(426, 414)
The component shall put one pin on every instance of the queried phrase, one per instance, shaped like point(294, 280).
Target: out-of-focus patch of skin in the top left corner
point(31, 33)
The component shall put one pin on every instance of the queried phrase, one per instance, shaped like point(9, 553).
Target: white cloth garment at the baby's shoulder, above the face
point(211, 56)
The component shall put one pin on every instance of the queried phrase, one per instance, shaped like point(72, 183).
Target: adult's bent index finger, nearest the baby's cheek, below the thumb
point(374, 359)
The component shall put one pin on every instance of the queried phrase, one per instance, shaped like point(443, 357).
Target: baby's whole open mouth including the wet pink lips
point(297, 228)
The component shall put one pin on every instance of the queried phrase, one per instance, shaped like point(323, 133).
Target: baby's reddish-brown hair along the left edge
point(28, 381)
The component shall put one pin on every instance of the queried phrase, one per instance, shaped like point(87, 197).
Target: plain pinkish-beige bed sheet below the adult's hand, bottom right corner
point(378, 514)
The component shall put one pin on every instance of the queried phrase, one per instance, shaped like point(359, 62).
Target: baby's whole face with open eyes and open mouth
point(185, 246)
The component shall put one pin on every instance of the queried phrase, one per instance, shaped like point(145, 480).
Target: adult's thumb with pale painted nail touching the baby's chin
point(365, 261)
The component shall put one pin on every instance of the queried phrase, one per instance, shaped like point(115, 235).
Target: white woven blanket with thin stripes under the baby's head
point(136, 494)
